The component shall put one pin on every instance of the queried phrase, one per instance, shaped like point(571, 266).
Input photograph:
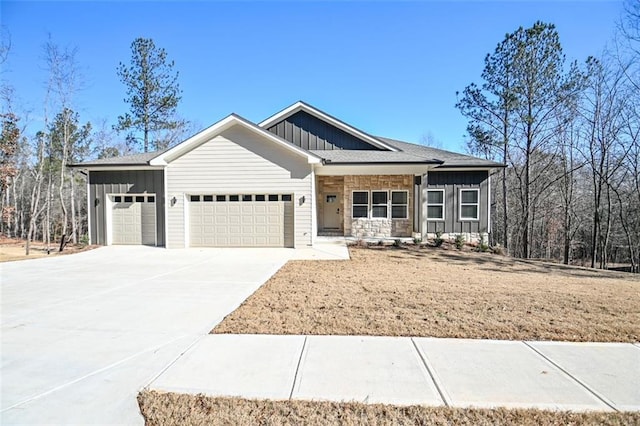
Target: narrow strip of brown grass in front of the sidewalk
point(177, 409)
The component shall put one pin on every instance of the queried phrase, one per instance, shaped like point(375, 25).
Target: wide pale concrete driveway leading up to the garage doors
point(82, 334)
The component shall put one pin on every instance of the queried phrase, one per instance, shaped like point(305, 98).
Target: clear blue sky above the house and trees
point(389, 68)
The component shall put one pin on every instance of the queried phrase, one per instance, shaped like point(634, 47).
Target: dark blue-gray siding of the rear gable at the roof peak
point(309, 132)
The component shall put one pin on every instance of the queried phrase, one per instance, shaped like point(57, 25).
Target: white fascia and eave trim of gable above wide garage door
point(218, 128)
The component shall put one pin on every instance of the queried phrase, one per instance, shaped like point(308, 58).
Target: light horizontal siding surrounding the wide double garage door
point(239, 161)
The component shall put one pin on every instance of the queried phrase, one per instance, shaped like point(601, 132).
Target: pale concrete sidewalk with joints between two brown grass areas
point(407, 371)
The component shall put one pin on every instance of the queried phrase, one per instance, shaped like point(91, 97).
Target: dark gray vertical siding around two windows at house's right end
point(452, 182)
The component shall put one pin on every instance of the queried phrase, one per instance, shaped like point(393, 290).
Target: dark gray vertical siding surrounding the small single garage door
point(103, 183)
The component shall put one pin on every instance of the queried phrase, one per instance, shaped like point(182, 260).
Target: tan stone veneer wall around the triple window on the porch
point(377, 228)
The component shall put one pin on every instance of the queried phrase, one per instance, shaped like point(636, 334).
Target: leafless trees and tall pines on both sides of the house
point(569, 134)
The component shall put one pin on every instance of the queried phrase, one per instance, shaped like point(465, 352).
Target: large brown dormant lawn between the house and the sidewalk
point(440, 293)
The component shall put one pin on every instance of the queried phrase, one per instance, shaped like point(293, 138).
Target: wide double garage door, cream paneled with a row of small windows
point(235, 220)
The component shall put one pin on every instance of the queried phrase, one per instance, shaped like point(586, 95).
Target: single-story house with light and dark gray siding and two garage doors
point(296, 175)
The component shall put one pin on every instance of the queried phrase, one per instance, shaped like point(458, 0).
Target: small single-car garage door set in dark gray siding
point(133, 219)
